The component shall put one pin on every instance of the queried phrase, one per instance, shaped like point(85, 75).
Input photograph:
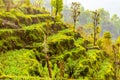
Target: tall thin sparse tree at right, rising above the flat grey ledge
point(95, 23)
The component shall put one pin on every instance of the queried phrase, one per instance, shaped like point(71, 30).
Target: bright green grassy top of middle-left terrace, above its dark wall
point(35, 29)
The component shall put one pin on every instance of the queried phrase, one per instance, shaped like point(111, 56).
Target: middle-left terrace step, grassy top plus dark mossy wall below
point(28, 35)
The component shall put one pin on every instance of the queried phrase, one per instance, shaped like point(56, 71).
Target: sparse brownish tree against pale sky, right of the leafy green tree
point(75, 12)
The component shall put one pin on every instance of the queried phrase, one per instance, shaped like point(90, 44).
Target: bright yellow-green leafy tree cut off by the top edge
point(57, 6)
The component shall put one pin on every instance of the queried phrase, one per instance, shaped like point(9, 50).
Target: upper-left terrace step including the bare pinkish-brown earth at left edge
point(17, 19)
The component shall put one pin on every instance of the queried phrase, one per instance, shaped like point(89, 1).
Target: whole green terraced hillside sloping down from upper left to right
point(37, 46)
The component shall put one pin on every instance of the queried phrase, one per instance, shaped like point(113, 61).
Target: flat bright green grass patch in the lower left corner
point(18, 62)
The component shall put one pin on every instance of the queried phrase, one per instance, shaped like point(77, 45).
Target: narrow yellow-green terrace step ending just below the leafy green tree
point(33, 19)
